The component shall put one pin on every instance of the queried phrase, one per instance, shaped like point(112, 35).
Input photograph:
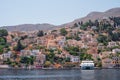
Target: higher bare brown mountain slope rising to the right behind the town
point(97, 15)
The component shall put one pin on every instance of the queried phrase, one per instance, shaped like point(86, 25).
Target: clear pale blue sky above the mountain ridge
point(14, 12)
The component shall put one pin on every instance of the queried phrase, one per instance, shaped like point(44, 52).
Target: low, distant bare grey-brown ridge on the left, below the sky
point(29, 27)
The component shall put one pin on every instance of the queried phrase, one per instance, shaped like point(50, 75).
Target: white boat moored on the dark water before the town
point(87, 65)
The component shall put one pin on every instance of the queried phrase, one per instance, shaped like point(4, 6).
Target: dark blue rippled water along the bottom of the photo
point(21, 74)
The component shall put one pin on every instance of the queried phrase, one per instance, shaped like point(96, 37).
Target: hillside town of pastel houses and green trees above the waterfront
point(63, 47)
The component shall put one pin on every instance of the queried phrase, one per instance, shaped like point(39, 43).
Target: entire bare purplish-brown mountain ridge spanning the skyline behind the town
point(91, 16)
